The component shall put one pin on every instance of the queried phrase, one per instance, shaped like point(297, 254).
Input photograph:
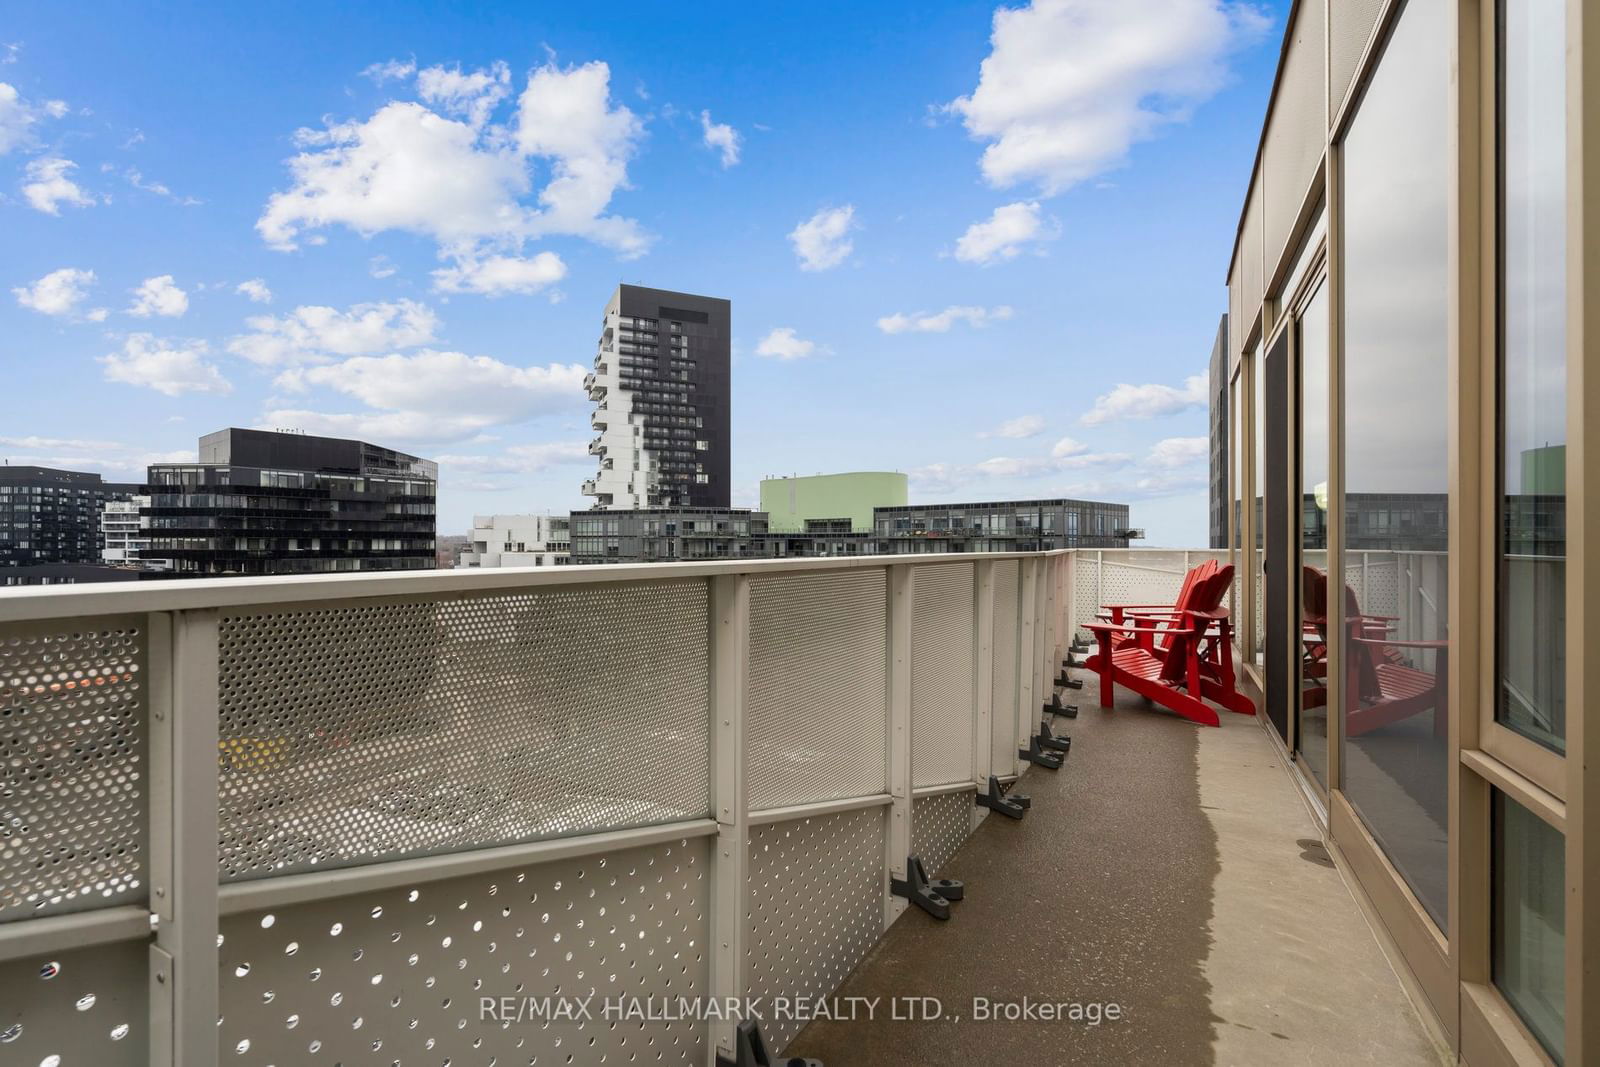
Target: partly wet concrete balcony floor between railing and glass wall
point(1170, 869)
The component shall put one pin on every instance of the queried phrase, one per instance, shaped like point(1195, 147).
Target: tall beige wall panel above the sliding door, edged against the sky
point(1297, 132)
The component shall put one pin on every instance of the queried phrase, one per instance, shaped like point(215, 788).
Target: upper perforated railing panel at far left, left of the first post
point(74, 765)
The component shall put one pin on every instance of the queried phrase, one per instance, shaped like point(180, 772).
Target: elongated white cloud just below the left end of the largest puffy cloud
point(319, 335)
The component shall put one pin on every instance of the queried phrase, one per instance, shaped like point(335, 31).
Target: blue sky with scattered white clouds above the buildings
point(988, 250)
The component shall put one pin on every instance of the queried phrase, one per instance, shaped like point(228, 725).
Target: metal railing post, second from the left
point(730, 797)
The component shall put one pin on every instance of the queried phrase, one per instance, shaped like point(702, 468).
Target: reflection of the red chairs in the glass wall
point(1383, 687)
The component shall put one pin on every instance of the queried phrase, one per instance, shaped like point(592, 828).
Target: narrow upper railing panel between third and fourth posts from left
point(943, 674)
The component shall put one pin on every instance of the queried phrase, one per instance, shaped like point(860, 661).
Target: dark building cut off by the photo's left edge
point(54, 518)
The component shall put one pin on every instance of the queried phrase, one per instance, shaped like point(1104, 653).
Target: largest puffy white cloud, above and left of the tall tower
point(471, 190)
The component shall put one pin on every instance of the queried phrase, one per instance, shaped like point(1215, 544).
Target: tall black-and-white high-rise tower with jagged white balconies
point(662, 394)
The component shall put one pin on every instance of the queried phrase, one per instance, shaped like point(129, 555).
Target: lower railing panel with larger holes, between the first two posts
point(454, 972)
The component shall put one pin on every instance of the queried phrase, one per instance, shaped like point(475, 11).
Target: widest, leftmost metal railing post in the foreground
point(185, 837)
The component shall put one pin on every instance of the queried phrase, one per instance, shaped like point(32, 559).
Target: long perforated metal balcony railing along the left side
point(396, 820)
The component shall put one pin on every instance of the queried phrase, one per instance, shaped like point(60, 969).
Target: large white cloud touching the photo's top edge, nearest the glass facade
point(1071, 86)
